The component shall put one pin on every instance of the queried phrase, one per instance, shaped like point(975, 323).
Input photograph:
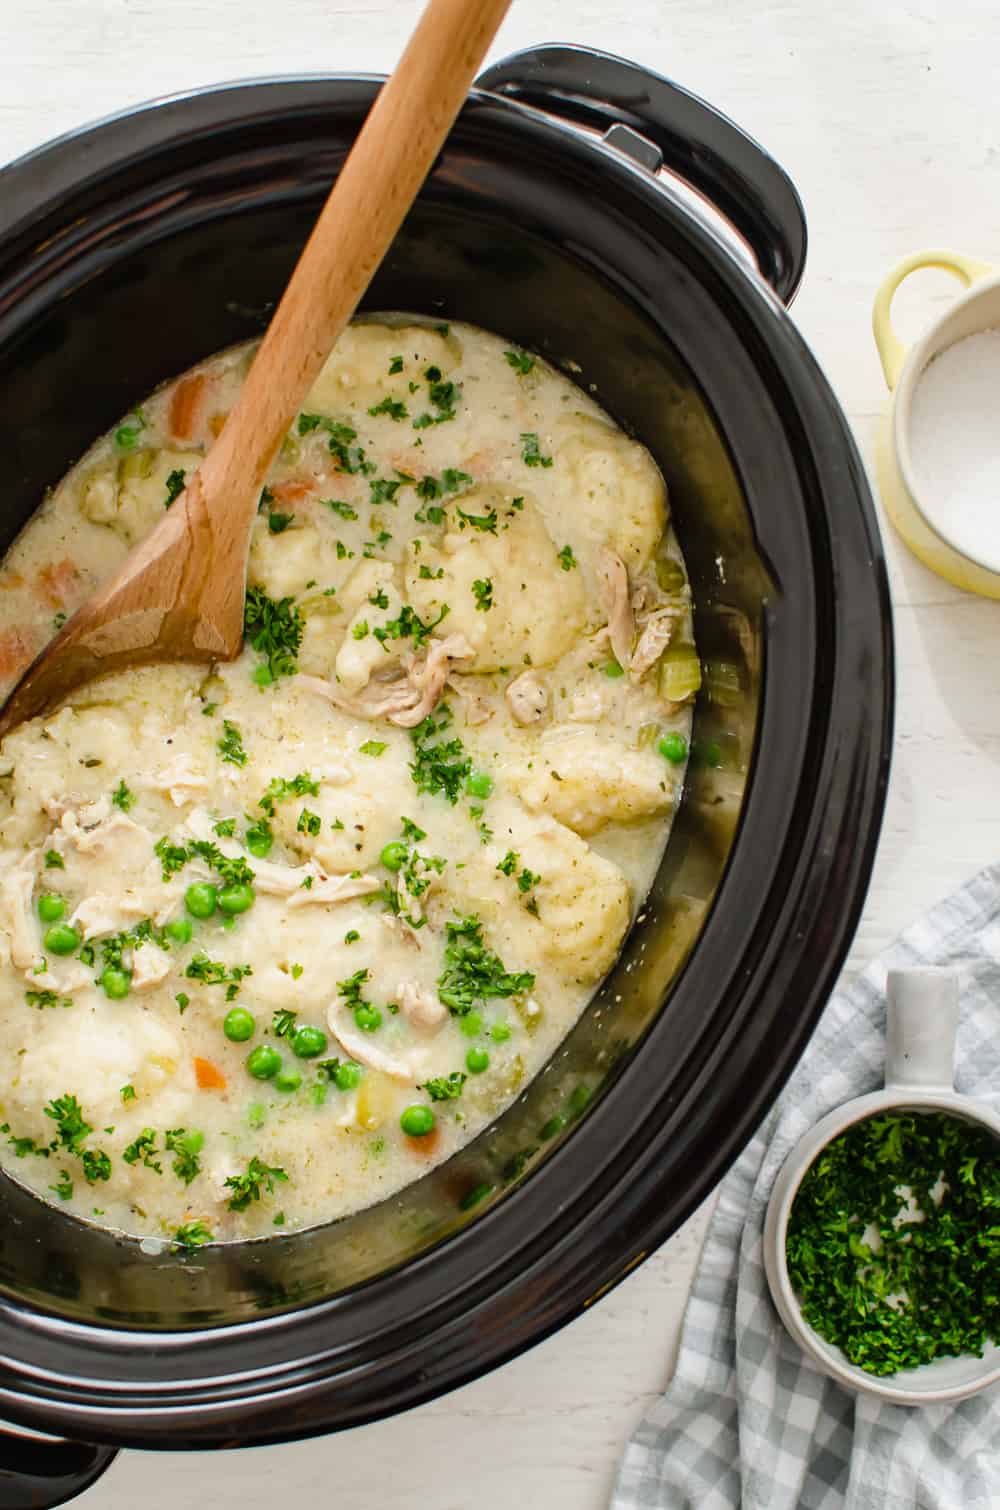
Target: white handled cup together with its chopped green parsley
point(883, 1231)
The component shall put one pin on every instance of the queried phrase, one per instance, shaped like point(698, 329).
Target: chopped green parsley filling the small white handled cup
point(927, 1289)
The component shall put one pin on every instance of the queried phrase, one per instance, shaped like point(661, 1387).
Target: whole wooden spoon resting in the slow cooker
point(179, 596)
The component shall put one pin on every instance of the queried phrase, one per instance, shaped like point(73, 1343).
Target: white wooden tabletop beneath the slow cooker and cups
point(886, 119)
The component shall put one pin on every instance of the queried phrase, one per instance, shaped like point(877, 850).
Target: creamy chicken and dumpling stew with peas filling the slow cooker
point(280, 935)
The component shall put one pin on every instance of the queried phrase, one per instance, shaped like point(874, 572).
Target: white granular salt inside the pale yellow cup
point(955, 445)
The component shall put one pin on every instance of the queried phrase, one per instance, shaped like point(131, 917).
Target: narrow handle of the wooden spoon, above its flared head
point(377, 186)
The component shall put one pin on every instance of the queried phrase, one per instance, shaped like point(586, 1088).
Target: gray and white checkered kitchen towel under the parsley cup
point(747, 1420)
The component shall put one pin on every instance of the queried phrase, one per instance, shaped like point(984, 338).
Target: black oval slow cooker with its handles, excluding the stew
point(137, 247)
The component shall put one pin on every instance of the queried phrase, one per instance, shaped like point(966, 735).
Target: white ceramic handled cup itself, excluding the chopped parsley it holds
point(919, 1077)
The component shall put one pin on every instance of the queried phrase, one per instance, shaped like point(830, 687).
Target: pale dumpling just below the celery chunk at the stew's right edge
point(587, 781)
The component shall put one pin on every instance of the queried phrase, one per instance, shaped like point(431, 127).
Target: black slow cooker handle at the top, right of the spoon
point(699, 144)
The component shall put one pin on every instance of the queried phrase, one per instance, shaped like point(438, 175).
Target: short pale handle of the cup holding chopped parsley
point(921, 1029)
